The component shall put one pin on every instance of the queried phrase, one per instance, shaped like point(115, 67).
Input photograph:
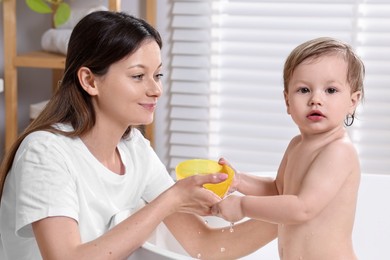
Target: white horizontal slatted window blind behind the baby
point(227, 57)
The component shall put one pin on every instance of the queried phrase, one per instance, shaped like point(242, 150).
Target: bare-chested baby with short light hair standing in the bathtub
point(313, 197)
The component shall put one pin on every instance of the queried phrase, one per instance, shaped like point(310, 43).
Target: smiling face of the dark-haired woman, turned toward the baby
point(128, 93)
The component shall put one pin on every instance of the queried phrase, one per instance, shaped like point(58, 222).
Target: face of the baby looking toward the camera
point(319, 97)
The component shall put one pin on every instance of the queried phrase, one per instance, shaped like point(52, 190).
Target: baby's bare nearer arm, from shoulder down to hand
point(325, 177)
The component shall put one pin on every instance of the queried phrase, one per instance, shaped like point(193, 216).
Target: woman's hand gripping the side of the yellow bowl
point(192, 197)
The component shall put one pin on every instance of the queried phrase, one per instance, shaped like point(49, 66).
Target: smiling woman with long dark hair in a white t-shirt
point(74, 179)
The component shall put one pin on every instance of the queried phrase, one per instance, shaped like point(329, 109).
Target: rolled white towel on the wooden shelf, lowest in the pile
point(56, 40)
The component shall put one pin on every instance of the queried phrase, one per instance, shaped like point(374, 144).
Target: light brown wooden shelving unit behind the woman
point(37, 59)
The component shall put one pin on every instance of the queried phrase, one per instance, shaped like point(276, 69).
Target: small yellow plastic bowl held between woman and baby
point(203, 166)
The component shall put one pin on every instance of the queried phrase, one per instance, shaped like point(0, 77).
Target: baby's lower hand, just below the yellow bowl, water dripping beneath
point(229, 209)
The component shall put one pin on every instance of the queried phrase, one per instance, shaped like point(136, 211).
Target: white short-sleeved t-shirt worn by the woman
point(54, 175)
